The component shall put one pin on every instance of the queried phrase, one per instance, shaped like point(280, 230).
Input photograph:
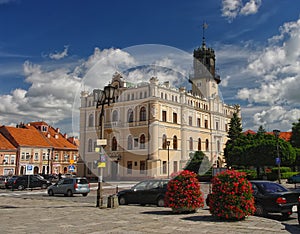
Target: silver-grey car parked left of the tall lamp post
point(70, 186)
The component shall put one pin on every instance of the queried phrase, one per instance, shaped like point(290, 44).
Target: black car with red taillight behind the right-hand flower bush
point(271, 197)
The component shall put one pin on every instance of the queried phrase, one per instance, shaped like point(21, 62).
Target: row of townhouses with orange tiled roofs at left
point(39, 145)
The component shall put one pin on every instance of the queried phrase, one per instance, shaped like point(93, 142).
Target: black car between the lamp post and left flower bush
point(145, 192)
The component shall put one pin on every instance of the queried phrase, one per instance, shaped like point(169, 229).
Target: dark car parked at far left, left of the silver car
point(27, 181)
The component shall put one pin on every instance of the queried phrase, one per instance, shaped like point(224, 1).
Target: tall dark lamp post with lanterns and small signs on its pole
point(101, 98)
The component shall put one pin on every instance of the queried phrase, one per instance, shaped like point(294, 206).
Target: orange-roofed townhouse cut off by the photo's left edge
point(7, 157)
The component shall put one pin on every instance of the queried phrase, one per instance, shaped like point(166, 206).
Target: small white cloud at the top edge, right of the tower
point(232, 8)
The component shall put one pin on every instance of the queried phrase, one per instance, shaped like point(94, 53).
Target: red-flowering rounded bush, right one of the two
point(231, 196)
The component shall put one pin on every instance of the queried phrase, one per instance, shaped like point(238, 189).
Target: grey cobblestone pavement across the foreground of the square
point(42, 215)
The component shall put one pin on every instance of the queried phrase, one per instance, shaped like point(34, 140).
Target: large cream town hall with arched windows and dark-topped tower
point(152, 128)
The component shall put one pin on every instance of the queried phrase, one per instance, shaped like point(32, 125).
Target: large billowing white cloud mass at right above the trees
point(275, 75)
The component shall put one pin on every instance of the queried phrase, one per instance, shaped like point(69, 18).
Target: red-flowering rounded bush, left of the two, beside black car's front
point(183, 193)
